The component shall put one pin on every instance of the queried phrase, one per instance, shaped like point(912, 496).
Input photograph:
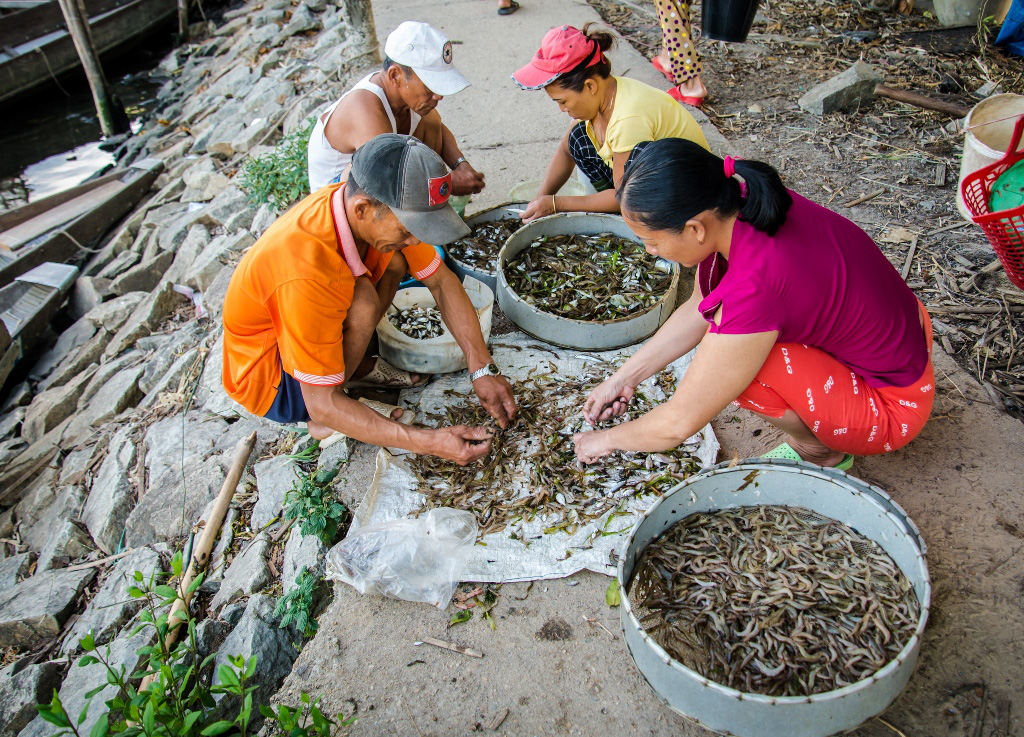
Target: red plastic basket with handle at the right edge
point(1005, 230)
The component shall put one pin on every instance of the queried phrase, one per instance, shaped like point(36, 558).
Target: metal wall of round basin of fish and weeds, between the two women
point(582, 335)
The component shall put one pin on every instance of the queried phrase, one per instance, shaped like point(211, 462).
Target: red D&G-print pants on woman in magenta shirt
point(838, 406)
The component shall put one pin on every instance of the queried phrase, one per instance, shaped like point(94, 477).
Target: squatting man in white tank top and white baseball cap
point(401, 99)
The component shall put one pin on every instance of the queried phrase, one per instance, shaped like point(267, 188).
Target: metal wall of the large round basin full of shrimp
point(833, 494)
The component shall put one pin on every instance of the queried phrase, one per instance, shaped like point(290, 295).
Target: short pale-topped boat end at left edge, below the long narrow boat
point(27, 307)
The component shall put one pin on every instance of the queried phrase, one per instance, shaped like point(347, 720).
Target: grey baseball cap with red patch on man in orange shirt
point(409, 178)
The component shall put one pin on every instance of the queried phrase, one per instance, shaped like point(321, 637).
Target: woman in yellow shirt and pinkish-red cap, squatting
point(614, 113)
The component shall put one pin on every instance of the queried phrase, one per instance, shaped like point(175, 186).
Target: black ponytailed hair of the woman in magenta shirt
point(672, 181)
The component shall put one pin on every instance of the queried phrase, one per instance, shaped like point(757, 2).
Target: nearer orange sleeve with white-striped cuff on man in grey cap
point(309, 319)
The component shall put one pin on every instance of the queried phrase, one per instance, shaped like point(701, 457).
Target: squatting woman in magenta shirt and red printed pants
point(799, 316)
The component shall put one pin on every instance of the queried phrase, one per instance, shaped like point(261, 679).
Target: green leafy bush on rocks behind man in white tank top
point(280, 178)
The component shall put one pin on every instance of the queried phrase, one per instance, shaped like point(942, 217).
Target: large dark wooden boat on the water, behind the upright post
point(35, 46)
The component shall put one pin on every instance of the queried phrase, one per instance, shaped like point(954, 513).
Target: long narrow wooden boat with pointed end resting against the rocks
point(53, 229)
